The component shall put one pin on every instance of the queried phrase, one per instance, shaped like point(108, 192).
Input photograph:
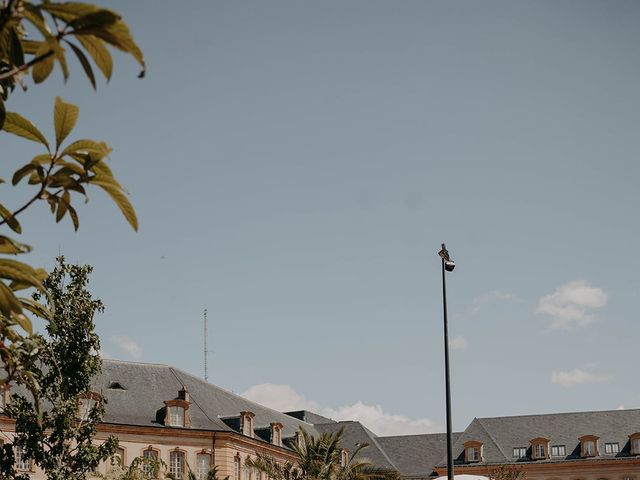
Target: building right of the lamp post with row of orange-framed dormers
point(559, 446)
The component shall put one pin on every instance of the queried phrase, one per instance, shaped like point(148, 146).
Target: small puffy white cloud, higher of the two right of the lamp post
point(571, 304)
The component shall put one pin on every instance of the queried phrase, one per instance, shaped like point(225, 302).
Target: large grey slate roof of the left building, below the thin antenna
point(146, 386)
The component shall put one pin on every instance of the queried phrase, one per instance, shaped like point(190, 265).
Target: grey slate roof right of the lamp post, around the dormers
point(500, 435)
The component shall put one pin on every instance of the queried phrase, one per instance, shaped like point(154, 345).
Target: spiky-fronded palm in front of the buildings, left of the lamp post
point(319, 458)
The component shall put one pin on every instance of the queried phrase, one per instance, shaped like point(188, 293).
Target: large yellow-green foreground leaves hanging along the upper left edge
point(33, 38)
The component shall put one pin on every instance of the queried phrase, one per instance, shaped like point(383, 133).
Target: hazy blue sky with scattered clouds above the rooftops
point(296, 165)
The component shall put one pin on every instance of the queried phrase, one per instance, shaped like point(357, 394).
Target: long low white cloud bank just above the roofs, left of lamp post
point(285, 398)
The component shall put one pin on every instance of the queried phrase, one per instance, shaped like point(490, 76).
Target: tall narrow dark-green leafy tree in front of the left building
point(51, 427)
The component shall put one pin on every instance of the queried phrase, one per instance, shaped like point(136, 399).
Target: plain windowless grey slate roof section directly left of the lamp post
point(415, 456)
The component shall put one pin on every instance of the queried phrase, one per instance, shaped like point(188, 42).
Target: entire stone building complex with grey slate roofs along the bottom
point(160, 411)
